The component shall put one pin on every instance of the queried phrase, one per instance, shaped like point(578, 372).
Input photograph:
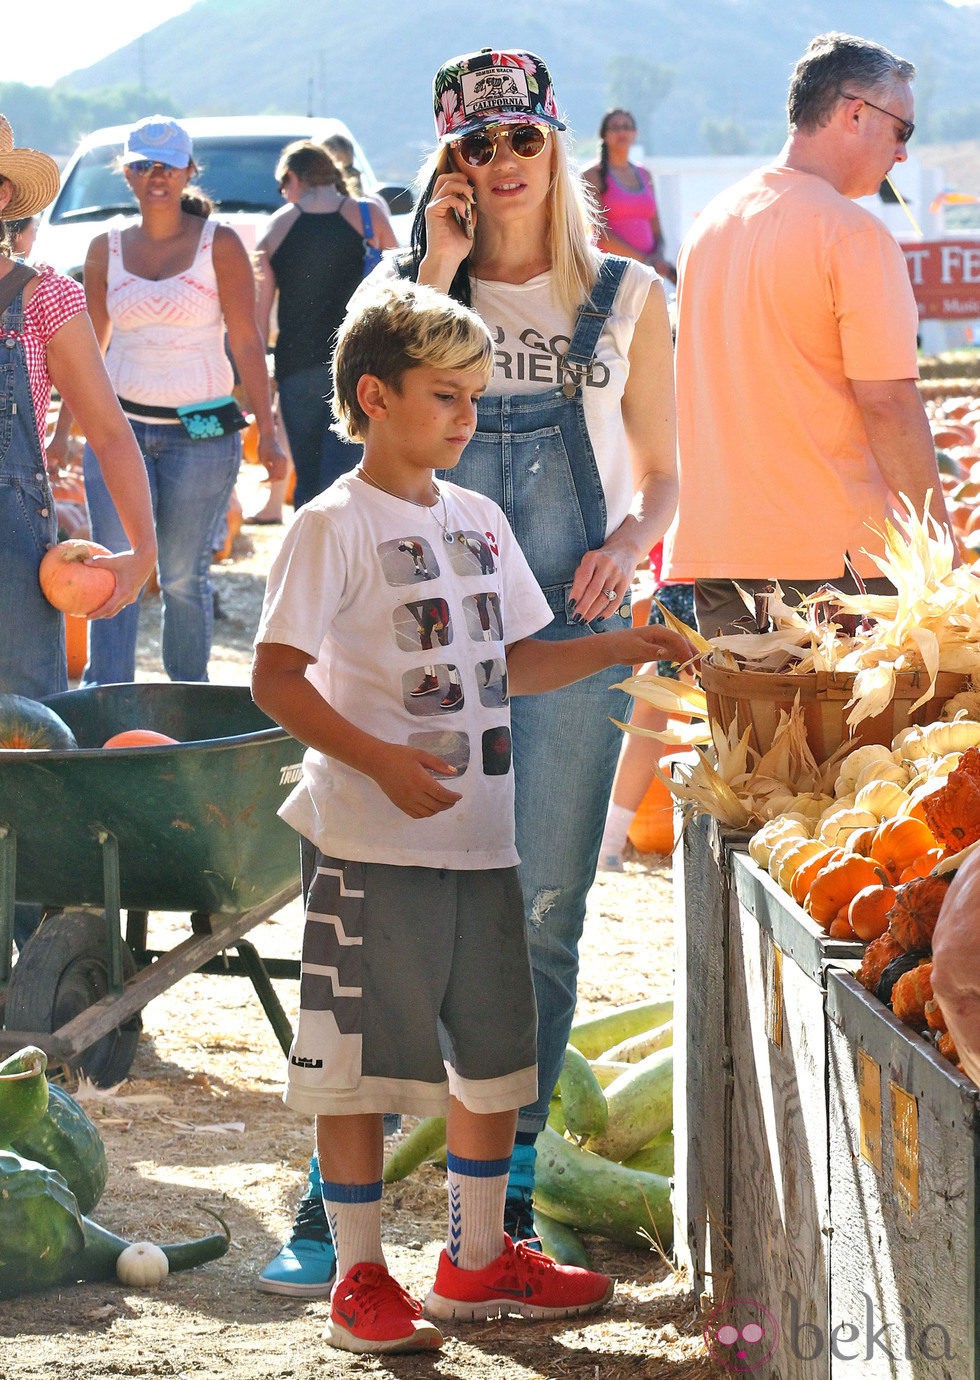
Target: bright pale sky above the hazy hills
point(52, 38)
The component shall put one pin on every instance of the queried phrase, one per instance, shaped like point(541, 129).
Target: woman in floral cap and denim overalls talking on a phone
point(576, 444)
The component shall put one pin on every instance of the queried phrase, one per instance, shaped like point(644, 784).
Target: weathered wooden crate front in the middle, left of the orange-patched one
point(779, 1168)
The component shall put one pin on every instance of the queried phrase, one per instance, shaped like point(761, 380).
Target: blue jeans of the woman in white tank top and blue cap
point(191, 484)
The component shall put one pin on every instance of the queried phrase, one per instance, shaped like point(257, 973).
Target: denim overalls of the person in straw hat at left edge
point(32, 633)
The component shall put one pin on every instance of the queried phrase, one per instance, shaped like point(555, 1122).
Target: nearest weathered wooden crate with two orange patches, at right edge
point(905, 1164)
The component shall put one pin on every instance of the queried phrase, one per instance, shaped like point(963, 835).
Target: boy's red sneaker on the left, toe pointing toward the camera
point(371, 1312)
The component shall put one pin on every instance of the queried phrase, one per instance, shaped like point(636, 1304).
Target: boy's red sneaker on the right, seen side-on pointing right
point(520, 1281)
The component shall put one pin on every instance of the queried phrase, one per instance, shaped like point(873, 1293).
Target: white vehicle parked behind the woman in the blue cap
point(237, 161)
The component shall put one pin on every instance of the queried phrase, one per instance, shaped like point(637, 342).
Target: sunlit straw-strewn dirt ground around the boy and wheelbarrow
point(199, 1124)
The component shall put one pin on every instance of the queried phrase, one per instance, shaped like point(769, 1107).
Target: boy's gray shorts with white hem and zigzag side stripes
point(416, 985)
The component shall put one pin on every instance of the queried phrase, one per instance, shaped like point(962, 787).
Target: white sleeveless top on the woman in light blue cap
point(168, 343)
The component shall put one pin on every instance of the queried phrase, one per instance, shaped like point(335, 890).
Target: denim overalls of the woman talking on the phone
point(533, 456)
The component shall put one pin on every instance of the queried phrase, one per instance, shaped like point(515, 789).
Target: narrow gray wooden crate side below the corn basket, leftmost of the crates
point(702, 1054)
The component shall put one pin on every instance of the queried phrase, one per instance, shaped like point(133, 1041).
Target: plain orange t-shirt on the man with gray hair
point(789, 290)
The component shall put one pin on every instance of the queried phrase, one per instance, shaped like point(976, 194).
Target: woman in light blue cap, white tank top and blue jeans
point(164, 295)
